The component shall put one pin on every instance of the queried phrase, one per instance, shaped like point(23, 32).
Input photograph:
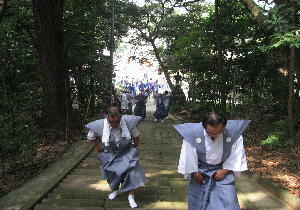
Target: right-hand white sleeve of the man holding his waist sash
point(237, 161)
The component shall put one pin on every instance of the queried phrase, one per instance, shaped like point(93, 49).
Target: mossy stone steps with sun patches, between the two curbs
point(165, 189)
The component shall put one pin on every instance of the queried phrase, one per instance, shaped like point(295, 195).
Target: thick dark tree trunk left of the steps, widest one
point(57, 107)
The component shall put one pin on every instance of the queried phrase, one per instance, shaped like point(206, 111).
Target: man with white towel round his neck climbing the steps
point(119, 156)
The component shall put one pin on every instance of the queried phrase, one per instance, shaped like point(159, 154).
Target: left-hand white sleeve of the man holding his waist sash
point(188, 161)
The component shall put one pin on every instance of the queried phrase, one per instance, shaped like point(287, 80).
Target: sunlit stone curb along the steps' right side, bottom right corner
point(284, 196)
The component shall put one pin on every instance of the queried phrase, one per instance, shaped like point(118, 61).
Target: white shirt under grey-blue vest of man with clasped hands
point(188, 161)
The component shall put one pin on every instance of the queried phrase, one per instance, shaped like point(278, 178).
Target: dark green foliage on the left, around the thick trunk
point(86, 35)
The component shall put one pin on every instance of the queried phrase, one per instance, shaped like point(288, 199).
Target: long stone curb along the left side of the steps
point(34, 190)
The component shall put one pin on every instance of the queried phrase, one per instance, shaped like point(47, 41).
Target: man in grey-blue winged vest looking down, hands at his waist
point(212, 154)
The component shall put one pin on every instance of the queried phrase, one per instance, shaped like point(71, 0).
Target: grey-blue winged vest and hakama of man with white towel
point(119, 161)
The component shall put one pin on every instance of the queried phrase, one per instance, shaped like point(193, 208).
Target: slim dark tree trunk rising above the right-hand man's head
point(220, 64)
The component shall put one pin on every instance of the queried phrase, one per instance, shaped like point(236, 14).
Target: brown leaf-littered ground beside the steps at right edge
point(279, 165)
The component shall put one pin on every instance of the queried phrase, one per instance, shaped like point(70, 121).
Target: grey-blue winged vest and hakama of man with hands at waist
point(212, 194)
